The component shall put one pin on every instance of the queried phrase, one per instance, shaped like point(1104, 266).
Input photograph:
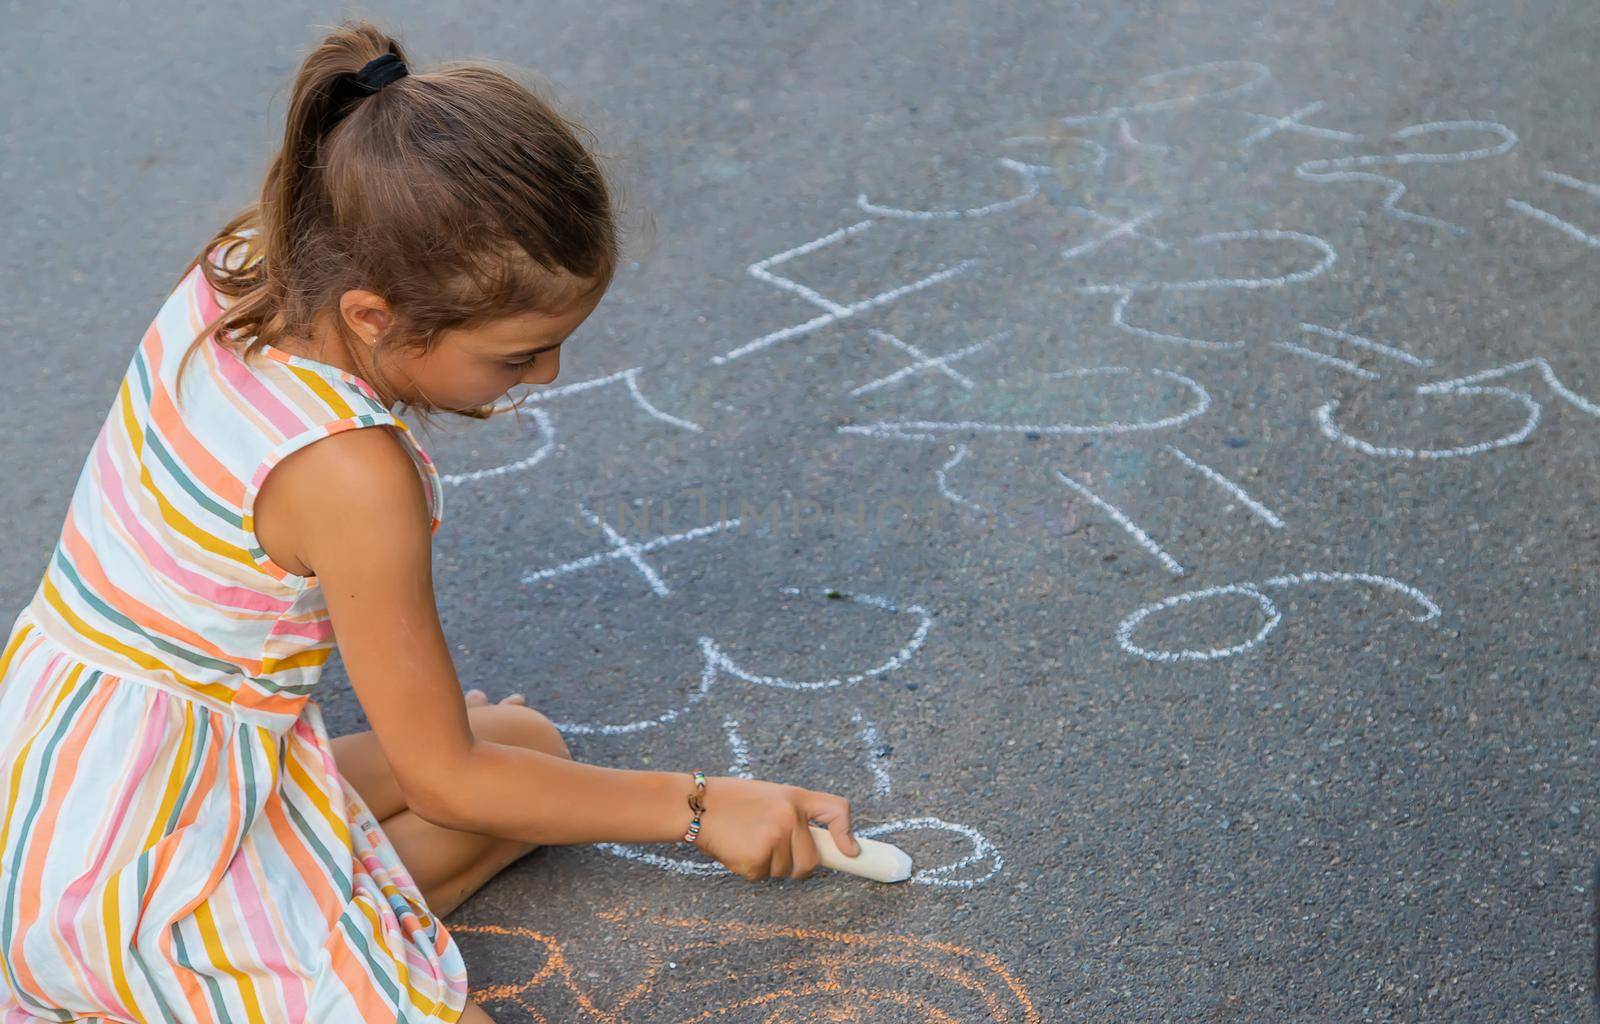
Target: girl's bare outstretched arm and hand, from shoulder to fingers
point(358, 513)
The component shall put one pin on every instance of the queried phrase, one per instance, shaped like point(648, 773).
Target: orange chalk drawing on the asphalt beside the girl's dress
point(738, 974)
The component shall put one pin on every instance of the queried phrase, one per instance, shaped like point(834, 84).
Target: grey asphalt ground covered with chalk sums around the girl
point(1356, 783)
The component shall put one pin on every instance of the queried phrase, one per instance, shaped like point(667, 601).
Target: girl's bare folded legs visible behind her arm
point(449, 866)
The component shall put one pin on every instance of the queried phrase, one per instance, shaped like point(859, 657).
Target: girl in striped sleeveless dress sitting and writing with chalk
point(180, 839)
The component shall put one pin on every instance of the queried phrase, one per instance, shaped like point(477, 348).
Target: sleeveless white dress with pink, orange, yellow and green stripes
point(177, 842)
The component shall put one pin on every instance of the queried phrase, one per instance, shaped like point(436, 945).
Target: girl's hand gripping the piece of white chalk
point(759, 830)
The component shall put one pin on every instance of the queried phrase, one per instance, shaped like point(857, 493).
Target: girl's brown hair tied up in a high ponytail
point(458, 196)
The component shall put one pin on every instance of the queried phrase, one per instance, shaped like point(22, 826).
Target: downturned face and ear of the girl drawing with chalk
point(468, 369)
